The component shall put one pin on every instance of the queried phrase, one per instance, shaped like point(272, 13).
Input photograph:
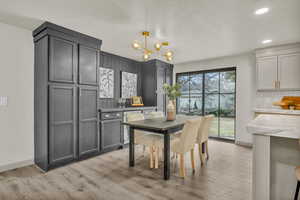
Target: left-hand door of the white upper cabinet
point(267, 73)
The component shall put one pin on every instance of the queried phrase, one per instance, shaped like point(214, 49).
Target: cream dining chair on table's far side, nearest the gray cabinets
point(140, 137)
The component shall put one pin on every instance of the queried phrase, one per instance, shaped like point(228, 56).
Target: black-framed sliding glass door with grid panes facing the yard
point(210, 92)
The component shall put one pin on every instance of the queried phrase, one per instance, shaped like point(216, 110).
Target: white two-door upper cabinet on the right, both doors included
point(278, 68)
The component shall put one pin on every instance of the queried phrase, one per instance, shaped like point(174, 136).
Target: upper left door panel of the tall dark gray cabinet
point(62, 60)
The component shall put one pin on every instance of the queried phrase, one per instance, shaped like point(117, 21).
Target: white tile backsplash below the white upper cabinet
point(265, 99)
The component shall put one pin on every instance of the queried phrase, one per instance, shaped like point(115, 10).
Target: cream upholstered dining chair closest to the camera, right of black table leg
point(183, 143)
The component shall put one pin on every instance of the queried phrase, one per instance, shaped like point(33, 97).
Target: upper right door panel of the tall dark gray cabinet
point(88, 65)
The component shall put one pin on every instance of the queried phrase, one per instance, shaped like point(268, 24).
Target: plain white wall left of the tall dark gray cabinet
point(16, 82)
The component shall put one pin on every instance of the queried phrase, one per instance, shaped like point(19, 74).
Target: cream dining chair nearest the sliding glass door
point(202, 138)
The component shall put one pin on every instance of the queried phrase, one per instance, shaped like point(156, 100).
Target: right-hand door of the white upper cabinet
point(289, 71)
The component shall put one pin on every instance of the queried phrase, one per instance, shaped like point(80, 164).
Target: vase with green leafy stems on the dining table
point(172, 91)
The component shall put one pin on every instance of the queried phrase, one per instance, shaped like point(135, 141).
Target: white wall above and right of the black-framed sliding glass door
point(245, 86)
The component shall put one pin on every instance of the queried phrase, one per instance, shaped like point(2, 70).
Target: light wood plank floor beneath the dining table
point(227, 175)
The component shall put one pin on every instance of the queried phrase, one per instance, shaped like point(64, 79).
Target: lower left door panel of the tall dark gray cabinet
point(62, 124)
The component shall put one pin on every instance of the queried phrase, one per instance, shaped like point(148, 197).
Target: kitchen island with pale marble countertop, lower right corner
point(276, 153)
